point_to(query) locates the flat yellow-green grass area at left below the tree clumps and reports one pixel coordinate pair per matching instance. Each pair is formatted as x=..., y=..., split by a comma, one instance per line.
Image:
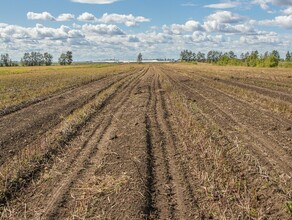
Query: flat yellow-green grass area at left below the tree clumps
x=23, y=84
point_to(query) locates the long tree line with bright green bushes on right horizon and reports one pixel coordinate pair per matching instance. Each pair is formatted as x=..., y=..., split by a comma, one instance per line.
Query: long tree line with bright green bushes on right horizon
x=253, y=59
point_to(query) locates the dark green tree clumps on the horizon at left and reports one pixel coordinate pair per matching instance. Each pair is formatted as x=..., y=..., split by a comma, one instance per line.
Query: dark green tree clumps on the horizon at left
x=36, y=59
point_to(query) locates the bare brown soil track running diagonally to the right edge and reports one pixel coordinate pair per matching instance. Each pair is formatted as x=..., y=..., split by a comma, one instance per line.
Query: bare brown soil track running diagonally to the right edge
x=270, y=153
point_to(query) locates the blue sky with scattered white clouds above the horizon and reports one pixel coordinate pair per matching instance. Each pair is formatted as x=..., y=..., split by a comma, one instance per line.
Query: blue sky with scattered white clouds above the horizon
x=120, y=29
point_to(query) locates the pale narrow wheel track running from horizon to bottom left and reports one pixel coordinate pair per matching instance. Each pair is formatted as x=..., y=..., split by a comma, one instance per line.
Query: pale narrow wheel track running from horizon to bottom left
x=91, y=148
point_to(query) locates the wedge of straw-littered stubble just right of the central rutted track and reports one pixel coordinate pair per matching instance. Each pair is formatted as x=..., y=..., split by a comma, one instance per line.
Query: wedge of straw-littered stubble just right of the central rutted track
x=232, y=183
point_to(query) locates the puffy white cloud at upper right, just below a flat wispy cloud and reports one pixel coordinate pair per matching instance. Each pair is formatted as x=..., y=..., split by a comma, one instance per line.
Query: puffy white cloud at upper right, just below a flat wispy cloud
x=225, y=17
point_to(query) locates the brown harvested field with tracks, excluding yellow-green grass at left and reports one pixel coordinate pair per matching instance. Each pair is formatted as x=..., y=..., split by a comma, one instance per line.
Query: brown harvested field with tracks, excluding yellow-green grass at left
x=163, y=141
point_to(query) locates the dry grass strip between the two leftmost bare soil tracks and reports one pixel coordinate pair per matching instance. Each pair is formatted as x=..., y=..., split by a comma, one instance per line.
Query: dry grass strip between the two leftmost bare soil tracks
x=18, y=171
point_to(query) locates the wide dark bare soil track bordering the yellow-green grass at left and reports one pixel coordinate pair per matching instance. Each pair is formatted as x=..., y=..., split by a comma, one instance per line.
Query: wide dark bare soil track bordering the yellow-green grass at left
x=23, y=127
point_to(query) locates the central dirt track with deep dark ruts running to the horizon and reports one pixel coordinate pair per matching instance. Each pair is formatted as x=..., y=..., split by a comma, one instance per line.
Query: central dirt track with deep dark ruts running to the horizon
x=172, y=196
